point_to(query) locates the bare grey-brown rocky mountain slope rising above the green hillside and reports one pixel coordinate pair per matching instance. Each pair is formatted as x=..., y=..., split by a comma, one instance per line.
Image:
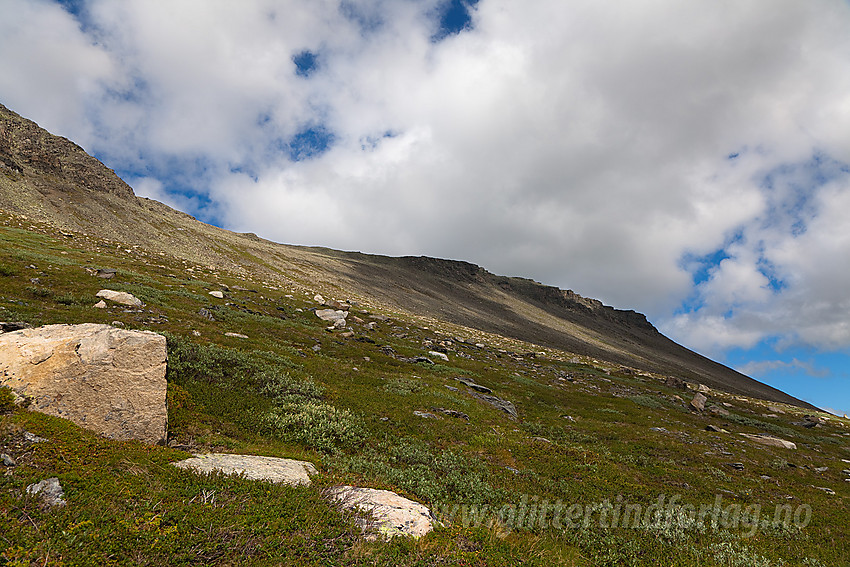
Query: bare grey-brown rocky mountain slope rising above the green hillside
x=51, y=180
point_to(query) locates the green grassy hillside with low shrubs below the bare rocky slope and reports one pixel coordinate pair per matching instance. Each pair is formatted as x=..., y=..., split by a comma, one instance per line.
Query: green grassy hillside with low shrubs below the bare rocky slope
x=595, y=446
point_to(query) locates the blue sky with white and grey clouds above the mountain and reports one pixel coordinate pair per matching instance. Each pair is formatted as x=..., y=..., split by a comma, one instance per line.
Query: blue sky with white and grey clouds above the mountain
x=689, y=160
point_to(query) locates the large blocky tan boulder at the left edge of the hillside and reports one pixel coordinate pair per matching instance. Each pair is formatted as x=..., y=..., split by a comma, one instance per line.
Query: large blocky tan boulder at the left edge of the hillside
x=105, y=379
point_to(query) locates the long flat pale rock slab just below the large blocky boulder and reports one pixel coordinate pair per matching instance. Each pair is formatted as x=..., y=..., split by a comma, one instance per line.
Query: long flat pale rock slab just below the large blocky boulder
x=252, y=467
